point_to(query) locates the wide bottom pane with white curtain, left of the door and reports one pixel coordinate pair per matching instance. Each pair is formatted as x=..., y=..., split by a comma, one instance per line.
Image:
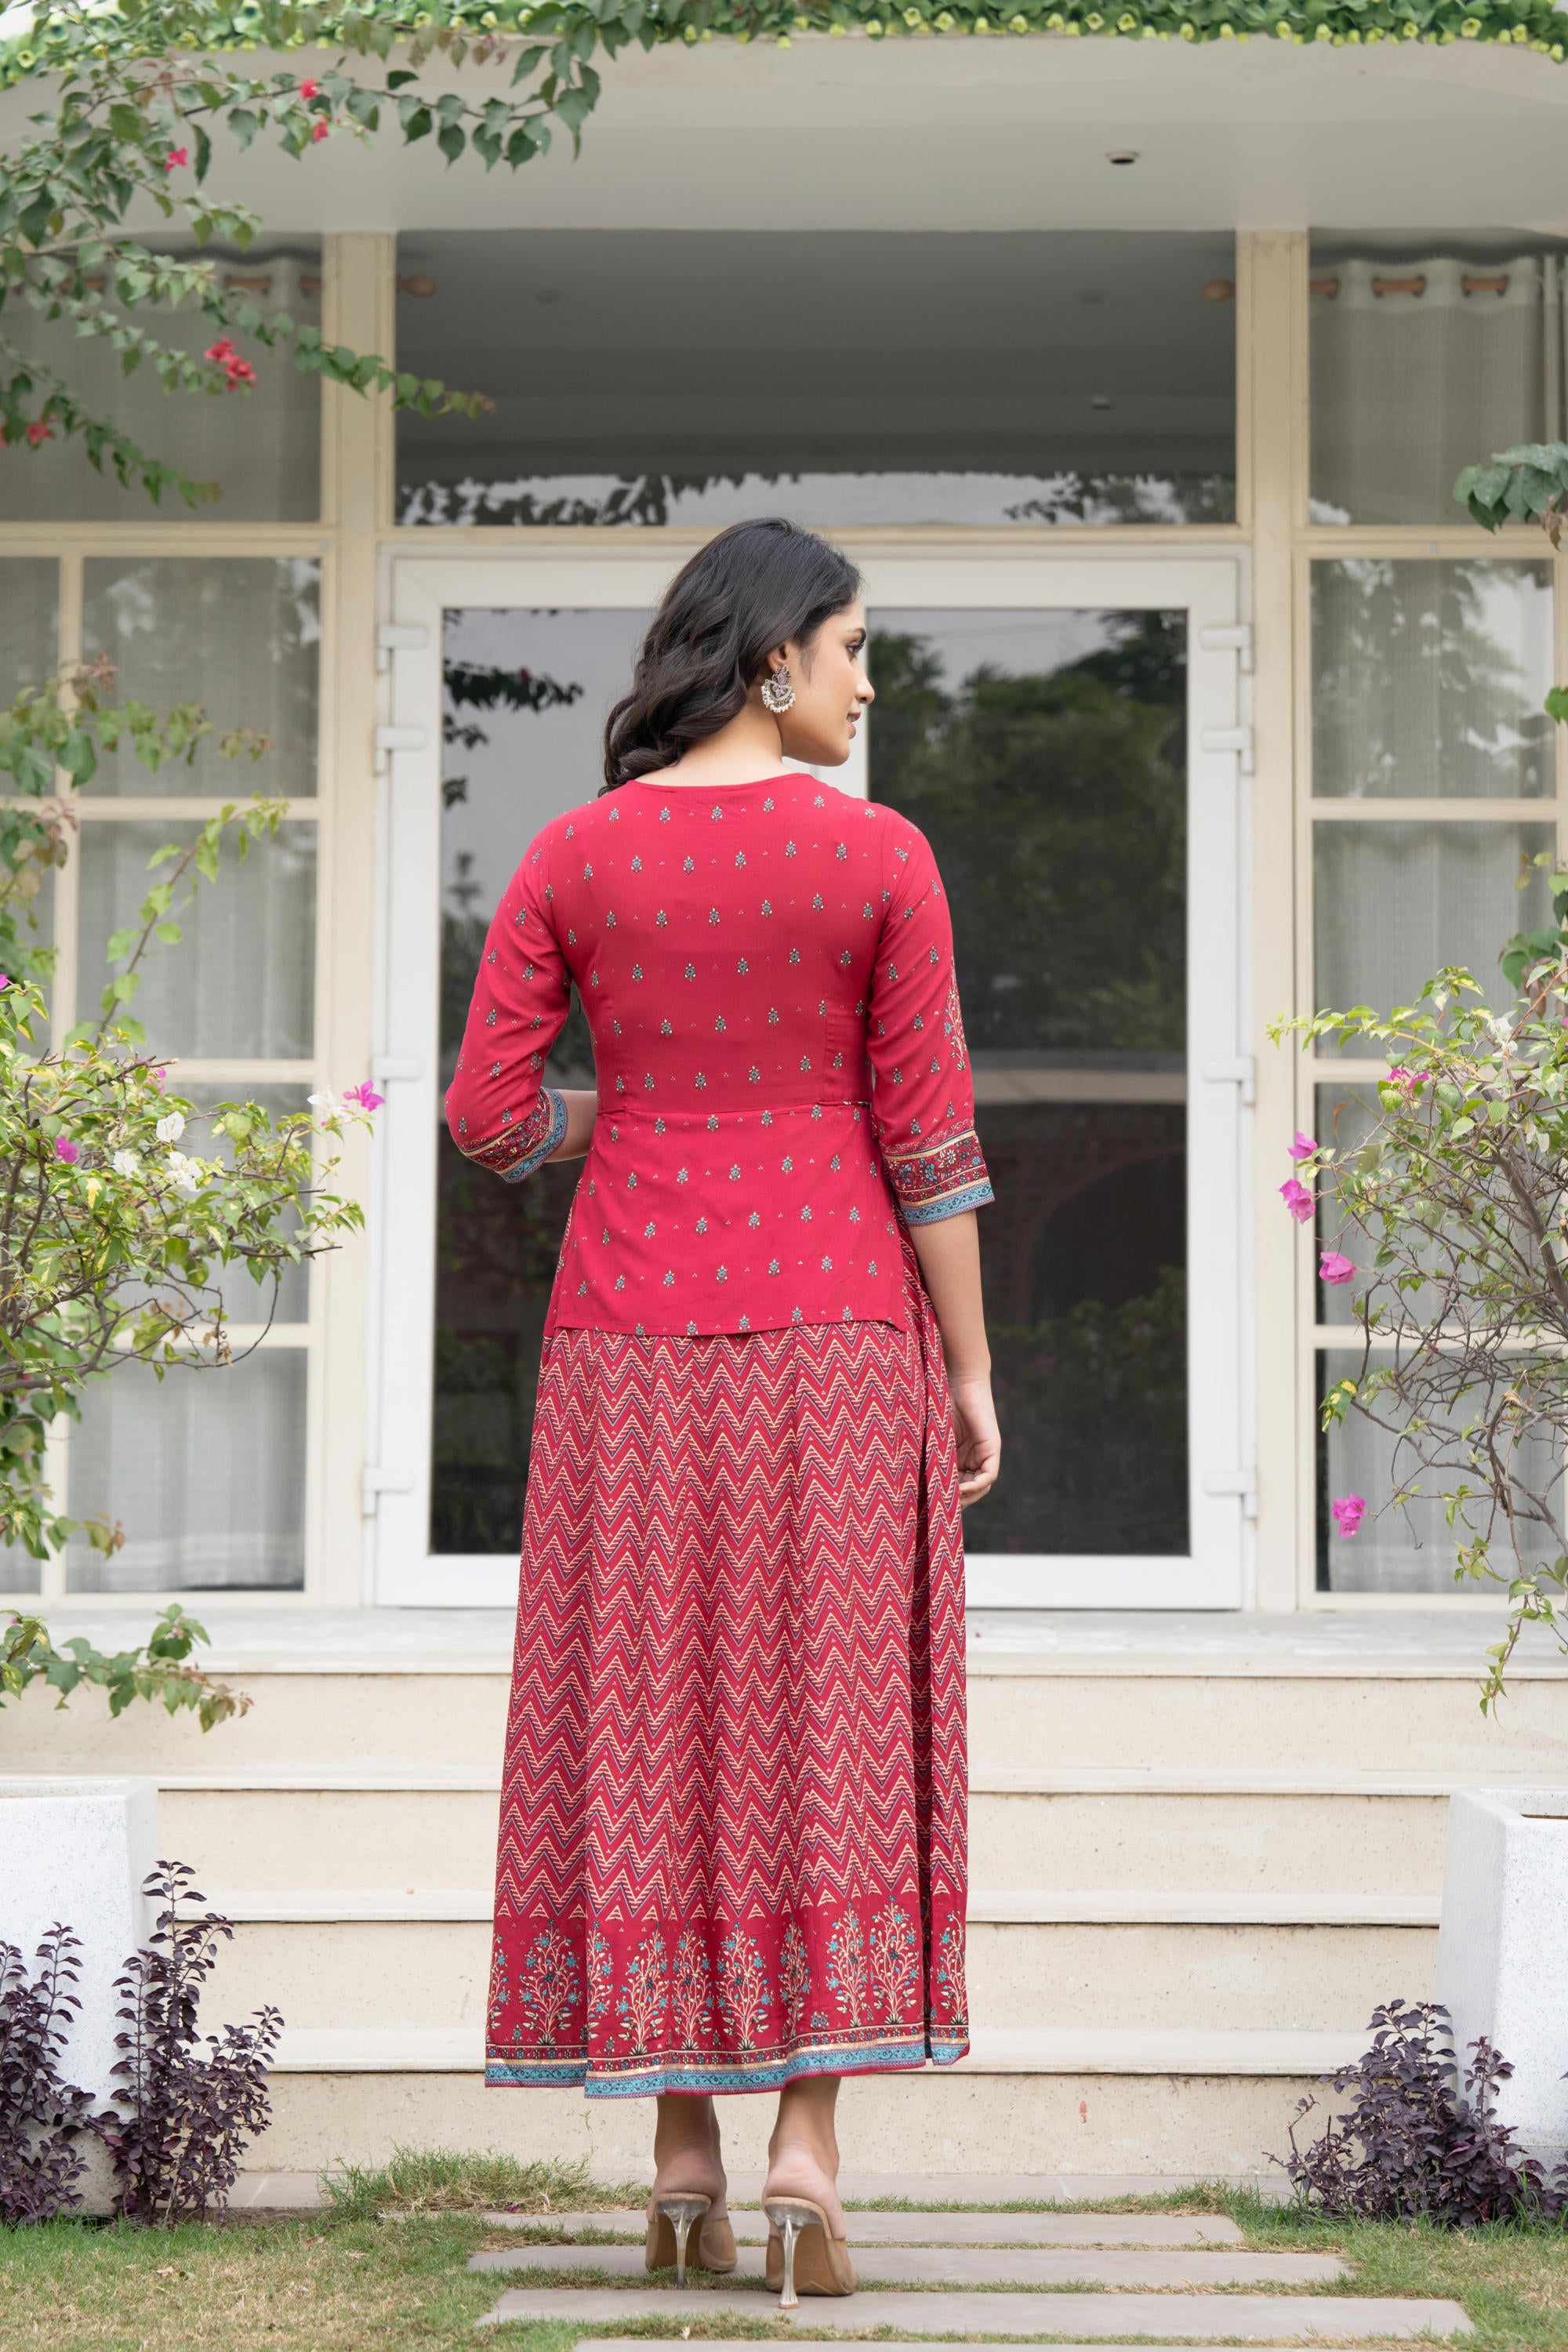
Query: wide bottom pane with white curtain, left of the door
x=206, y=1471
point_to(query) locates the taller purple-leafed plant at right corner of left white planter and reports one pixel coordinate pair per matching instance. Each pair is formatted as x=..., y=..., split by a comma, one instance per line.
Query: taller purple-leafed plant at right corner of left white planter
x=189, y=2111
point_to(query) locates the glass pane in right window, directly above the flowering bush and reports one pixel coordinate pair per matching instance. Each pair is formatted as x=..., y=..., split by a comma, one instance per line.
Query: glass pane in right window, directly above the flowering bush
x=1393, y=904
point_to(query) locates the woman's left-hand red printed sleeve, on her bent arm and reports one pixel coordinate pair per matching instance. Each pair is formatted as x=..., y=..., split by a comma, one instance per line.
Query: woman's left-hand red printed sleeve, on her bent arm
x=500, y=1111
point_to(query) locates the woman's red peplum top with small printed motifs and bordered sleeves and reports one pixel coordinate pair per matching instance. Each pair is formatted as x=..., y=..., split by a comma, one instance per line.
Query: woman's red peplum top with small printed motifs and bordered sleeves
x=782, y=1069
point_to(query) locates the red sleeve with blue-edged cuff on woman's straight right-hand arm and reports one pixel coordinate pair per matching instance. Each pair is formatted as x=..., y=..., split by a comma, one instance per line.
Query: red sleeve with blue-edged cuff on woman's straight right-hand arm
x=923, y=1102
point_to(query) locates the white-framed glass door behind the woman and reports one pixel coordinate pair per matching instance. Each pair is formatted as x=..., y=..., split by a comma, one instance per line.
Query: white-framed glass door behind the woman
x=1068, y=737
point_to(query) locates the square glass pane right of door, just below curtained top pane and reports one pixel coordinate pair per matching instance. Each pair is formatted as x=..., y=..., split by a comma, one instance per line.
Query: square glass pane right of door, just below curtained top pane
x=1428, y=681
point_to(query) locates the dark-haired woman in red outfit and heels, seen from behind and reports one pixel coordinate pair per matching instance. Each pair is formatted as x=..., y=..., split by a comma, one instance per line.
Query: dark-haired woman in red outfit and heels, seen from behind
x=732, y=1822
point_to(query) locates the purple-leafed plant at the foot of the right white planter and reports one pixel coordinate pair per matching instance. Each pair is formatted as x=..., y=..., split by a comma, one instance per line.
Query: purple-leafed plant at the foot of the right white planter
x=1414, y=2141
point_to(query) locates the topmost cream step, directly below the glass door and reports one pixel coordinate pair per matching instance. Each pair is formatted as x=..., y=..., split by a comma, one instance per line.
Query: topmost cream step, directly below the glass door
x=1028, y=1711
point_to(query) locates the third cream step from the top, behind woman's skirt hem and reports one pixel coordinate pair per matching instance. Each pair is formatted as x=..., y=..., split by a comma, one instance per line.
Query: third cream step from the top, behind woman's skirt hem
x=434, y=1967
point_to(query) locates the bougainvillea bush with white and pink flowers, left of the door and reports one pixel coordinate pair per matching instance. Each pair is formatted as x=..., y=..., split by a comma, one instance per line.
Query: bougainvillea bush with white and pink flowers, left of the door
x=135, y=1229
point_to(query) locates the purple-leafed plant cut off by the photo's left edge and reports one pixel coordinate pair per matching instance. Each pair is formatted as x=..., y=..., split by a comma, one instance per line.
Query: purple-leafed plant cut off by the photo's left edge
x=41, y=2113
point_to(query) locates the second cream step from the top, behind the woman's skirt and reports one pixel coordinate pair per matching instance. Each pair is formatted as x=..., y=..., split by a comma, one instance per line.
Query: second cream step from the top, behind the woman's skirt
x=1085, y=1831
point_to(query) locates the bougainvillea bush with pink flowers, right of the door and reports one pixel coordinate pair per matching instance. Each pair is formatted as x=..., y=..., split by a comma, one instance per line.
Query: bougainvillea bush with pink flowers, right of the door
x=1454, y=1222
